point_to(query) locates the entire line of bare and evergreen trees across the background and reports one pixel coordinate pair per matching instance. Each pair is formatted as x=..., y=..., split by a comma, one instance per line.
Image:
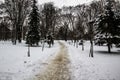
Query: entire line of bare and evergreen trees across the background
x=74, y=22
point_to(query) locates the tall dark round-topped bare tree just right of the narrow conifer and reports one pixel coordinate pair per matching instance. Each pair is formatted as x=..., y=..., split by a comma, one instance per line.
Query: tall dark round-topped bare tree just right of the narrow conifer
x=49, y=13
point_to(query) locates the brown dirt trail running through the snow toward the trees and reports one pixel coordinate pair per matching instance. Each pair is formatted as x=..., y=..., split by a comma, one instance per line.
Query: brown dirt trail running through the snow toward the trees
x=57, y=68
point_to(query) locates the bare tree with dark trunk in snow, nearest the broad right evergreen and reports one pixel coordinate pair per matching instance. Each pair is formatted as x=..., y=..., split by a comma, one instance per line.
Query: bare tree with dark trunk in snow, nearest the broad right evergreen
x=92, y=12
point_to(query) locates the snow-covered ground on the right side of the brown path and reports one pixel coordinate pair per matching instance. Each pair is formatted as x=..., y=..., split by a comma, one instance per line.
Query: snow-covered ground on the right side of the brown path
x=103, y=66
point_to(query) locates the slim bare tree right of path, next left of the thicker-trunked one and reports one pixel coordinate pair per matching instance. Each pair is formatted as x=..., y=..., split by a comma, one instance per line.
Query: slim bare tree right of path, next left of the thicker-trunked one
x=81, y=22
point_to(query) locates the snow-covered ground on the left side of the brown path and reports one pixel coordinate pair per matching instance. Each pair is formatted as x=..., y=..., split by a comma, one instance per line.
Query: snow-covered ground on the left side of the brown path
x=15, y=65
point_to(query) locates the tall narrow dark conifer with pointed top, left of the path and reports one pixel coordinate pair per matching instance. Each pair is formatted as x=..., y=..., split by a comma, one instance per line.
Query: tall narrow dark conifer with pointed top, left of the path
x=33, y=36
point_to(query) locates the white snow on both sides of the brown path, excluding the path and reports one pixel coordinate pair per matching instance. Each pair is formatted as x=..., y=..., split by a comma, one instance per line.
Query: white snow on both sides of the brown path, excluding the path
x=15, y=65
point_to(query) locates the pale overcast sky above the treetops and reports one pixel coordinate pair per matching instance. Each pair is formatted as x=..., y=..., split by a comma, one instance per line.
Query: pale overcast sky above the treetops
x=61, y=3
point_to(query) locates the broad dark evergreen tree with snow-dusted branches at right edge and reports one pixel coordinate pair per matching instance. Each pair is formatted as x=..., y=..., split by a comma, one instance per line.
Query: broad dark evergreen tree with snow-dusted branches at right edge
x=108, y=23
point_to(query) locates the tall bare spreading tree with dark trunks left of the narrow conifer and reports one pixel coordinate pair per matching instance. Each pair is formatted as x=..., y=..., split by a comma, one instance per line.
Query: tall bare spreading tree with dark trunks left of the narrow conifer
x=17, y=11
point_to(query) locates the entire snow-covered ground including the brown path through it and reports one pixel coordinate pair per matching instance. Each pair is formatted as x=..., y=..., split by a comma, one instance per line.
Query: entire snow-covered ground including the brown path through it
x=62, y=61
